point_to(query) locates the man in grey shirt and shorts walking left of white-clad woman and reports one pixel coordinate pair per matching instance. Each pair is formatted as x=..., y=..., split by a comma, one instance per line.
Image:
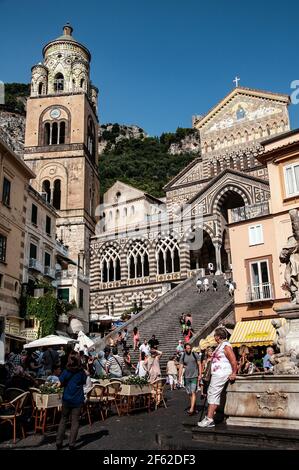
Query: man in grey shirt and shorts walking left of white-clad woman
x=192, y=364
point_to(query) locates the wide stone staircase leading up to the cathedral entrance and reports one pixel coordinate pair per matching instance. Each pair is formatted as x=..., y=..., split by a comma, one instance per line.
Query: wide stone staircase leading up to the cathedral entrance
x=162, y=317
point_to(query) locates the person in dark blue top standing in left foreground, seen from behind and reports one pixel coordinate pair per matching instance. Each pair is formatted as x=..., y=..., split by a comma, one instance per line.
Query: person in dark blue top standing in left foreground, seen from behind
x=72, y=379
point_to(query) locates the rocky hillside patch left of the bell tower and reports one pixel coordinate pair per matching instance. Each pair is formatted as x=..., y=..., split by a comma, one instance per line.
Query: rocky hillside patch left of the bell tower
x=12, y=130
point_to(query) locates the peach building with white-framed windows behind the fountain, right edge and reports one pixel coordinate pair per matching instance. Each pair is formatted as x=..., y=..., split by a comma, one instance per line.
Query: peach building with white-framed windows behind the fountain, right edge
x=258, y=233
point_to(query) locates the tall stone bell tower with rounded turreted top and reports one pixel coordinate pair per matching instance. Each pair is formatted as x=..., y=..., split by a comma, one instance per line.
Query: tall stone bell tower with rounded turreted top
x=61, y=144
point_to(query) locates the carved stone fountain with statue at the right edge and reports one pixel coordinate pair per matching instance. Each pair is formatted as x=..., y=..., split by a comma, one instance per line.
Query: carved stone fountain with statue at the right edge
x=272, y=400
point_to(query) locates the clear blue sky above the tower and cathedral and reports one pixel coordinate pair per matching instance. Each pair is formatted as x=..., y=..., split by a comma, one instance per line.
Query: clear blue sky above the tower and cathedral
x=158, y=62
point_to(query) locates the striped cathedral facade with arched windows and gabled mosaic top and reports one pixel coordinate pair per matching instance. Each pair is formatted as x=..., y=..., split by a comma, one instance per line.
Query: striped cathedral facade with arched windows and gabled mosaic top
x=144, y=245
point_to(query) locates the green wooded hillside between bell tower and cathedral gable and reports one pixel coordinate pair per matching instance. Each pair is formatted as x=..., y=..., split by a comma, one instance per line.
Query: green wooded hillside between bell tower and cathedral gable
x=144, y=162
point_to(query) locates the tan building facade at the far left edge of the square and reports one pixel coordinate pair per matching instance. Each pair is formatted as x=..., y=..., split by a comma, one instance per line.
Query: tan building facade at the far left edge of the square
x=14, y=179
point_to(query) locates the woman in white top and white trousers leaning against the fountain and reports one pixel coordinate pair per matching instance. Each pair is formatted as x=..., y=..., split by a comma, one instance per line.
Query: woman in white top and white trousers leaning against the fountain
x=224, y=368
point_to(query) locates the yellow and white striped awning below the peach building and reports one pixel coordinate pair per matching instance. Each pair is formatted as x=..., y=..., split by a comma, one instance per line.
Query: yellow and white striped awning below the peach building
x=254, y=333
